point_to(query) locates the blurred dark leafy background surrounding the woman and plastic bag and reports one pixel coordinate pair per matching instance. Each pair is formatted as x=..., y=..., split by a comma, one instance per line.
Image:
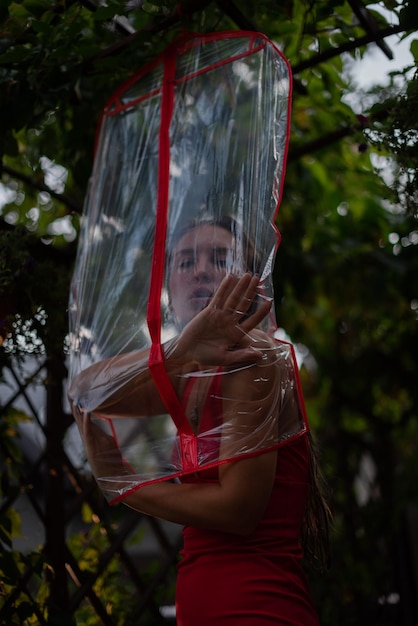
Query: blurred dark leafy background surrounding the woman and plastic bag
x=346, y=294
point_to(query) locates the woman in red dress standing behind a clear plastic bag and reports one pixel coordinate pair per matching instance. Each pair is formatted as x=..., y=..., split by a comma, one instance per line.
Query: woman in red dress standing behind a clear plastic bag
x=242, y=515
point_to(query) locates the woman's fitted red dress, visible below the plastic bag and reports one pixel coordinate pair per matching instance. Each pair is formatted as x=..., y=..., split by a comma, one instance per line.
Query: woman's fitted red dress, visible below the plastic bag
x=231, y=580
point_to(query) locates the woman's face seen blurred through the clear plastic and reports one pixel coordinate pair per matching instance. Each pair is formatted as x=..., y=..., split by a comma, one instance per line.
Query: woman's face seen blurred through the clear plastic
x=200, y=260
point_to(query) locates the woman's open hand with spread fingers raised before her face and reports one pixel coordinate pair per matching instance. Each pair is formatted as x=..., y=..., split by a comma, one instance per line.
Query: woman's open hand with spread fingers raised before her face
x=218, y=335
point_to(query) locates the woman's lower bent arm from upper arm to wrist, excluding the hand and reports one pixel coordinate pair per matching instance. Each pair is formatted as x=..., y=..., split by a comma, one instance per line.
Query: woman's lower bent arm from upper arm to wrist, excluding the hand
x=237, y=503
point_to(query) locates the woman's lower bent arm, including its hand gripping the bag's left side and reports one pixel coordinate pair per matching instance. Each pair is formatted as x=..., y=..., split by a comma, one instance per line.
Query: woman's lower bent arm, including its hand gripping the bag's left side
x=237, y=502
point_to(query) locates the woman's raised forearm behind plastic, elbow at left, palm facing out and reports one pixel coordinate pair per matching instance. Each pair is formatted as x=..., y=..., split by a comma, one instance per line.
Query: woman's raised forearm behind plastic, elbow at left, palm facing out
x=123, y=384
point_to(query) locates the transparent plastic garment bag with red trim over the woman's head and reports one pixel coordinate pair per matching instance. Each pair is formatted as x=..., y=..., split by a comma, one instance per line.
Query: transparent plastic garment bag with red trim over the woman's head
x=187, y=178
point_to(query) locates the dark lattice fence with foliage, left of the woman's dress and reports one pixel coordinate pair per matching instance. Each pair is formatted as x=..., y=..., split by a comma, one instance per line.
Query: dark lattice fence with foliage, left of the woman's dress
x=66, y=556
